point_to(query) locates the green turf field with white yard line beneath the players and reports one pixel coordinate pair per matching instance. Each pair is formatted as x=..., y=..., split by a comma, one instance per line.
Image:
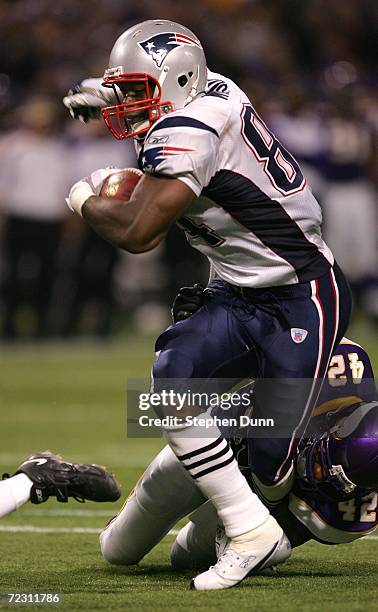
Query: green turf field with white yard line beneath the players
x=72, y=399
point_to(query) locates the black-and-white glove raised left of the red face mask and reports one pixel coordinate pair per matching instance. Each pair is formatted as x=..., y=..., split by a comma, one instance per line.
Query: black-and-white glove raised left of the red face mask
x=86, y=99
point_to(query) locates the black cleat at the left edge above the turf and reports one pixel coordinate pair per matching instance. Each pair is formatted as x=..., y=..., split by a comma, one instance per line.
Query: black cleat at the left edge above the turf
x=52, y=476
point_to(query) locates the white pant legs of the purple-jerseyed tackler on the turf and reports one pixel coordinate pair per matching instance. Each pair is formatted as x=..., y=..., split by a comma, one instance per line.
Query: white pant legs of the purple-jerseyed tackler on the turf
x=163, y=495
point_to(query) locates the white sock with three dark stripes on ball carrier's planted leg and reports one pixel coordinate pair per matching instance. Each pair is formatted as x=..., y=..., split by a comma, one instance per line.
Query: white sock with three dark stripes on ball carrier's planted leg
x=211, y=463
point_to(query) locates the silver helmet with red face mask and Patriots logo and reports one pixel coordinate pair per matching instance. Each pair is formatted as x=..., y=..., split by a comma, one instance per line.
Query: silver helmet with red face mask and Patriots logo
x=166, y=61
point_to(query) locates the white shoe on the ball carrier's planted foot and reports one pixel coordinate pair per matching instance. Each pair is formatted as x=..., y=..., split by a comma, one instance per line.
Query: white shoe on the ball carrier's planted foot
x=236, y=562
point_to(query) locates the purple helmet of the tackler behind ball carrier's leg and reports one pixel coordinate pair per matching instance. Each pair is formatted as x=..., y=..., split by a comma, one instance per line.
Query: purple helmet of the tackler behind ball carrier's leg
x=347, y=453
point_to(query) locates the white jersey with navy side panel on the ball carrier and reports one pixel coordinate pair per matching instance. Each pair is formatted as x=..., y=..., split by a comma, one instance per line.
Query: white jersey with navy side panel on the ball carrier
x=255, y=217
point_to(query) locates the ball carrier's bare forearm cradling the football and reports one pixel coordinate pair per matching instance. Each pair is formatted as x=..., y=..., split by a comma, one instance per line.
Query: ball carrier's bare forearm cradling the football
x=115, y=222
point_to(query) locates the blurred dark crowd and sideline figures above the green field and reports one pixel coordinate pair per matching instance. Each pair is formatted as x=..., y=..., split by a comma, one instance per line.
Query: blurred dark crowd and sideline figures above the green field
x=309, y=67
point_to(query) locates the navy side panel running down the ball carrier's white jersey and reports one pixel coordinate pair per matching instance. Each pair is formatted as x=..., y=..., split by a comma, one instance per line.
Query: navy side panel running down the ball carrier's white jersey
x=268, y=220
